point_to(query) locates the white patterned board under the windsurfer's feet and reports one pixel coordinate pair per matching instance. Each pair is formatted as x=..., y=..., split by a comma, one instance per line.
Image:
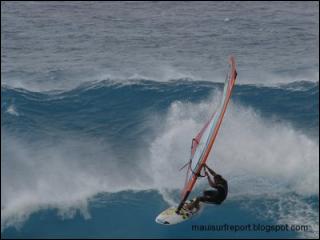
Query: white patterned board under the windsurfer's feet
x=170, y=217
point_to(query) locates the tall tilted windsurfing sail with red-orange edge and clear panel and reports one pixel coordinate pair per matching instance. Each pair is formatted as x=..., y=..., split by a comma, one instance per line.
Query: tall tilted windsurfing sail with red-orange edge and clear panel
x=201, y=145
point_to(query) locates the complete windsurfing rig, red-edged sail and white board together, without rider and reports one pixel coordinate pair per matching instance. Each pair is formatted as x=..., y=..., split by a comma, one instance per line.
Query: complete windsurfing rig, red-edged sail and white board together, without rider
x=200, y=149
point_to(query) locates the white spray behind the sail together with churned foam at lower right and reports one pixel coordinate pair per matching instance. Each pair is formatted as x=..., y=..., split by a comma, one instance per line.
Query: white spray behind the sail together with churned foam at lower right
x=260, y=158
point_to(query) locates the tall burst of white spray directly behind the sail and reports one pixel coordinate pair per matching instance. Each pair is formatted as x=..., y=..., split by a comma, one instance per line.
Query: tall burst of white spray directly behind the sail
x=247, y=146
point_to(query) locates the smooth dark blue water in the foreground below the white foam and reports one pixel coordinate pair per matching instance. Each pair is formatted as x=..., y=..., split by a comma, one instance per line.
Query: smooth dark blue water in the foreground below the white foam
x=127, y=226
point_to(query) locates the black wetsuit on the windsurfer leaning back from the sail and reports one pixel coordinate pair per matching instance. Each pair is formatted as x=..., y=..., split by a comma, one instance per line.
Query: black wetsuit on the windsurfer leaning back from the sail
x=218, y=195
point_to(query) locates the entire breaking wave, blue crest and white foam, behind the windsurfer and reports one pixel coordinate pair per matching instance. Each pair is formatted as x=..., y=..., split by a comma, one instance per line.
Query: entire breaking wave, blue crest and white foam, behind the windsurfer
x=63, y=150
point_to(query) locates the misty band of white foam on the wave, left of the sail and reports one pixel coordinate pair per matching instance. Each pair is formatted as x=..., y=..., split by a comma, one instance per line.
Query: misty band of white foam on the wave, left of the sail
x=62, y=174
